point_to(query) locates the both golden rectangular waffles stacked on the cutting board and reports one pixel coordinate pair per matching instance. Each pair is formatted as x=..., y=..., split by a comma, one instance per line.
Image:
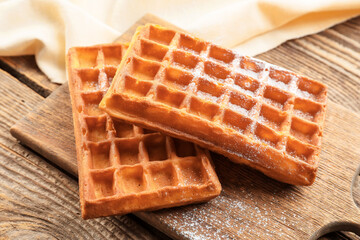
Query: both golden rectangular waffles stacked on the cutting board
x=248, y=110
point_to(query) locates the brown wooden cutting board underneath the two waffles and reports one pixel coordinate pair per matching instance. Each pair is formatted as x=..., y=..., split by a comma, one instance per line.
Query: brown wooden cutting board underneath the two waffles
x=251, y=205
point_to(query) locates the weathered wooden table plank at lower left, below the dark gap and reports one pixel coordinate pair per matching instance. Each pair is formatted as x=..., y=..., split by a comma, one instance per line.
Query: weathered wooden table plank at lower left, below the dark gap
x=37, y=200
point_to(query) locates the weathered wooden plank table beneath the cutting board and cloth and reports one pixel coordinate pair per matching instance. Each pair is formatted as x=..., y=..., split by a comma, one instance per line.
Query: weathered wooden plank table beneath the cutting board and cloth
x=37, y=199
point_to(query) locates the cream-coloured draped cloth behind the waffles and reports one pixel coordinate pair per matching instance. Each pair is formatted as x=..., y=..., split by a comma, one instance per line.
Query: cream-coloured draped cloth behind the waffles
x=47, y=28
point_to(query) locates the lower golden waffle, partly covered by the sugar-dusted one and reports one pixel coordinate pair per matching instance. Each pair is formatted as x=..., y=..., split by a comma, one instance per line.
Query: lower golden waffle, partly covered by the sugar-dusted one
x=124, y=168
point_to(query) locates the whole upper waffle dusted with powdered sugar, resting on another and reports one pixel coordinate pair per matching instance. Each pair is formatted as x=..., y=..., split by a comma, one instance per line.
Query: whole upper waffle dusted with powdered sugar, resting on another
x=248, y=110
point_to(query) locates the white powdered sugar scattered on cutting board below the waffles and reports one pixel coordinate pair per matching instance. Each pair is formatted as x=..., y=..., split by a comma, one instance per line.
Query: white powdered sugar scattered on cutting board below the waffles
x=231, y=217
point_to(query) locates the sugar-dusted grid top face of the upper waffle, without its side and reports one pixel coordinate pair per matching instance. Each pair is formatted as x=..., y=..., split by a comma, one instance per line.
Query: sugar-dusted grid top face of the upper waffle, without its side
x=272, y=107
